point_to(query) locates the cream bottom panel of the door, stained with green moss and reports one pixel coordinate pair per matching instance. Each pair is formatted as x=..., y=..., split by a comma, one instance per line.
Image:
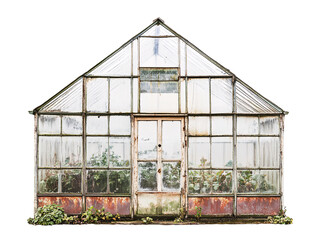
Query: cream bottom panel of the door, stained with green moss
x=158, y=204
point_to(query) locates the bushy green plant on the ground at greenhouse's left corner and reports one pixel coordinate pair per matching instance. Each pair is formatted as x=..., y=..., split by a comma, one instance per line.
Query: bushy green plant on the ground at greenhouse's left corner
x=48, y=215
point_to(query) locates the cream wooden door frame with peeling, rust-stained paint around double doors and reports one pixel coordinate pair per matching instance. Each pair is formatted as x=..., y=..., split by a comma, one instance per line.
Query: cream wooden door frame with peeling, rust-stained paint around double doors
x=134, y=175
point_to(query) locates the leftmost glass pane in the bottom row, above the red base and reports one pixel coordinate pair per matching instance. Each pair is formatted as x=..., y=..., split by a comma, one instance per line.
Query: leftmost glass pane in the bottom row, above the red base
x=48, y=181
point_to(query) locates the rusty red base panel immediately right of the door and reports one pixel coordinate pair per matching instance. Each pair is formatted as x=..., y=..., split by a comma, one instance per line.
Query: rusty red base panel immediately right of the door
x=211, y=205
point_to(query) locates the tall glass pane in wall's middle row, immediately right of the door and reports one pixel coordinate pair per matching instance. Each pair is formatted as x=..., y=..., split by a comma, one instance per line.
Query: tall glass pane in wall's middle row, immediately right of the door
x=198, y=152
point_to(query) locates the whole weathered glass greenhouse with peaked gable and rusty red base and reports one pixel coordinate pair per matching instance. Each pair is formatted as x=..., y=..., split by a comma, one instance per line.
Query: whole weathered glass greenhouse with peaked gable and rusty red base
x=156, y=128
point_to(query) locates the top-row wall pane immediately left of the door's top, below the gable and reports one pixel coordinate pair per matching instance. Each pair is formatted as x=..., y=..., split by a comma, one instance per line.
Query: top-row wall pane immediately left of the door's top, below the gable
x=120, y=125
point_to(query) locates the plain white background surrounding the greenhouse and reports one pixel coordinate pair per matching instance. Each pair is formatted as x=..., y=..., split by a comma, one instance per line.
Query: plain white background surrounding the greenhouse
x=271, y=45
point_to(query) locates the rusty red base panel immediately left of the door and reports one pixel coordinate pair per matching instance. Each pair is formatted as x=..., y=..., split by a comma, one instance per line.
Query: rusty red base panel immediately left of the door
x=114, y=205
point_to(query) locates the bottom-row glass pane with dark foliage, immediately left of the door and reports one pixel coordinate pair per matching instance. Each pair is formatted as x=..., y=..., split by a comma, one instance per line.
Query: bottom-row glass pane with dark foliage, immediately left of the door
x=120, y=181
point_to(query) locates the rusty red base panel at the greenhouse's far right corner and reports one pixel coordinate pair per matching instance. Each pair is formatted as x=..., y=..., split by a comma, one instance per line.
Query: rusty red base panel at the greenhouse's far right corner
x=258, y=205
